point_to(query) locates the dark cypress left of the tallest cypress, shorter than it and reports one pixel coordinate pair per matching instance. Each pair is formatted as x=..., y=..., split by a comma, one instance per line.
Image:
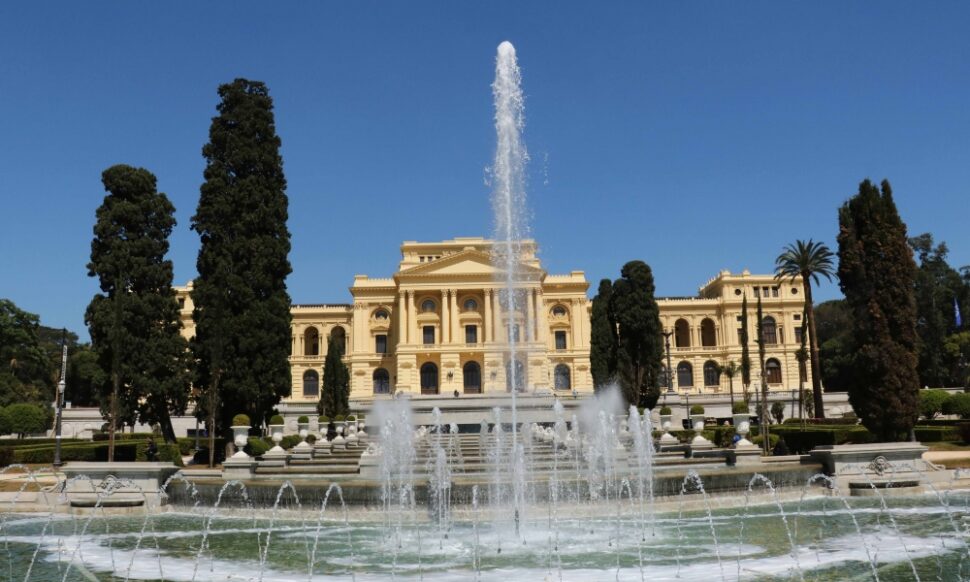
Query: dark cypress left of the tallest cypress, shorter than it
x=134, y=322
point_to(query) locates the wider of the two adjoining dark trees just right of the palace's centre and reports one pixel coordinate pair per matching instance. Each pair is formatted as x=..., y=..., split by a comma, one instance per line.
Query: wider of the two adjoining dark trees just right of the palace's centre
x=639, y=337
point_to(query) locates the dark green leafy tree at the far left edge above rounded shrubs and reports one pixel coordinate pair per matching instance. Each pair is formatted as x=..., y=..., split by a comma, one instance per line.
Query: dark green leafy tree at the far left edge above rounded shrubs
x=25, y=374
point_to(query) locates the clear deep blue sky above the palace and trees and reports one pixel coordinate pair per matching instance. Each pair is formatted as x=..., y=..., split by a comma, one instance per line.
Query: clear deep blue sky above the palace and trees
x=695, y=136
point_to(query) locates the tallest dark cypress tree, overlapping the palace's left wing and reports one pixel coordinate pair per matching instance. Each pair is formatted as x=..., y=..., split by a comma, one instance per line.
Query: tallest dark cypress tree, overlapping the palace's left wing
x=242, y=308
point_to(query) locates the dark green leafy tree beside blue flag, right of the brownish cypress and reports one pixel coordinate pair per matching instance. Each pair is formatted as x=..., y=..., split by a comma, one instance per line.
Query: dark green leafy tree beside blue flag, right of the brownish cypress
x=938, y=288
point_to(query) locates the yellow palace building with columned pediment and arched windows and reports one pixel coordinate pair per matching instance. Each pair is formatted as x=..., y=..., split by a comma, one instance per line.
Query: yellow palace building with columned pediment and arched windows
x=438, y=326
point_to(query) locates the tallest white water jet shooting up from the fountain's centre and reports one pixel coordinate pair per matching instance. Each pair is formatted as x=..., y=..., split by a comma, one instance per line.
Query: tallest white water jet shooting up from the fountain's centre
x=508, y=203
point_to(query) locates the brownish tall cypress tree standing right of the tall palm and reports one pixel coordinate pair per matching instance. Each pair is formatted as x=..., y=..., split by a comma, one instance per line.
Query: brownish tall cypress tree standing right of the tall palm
x=877, y=275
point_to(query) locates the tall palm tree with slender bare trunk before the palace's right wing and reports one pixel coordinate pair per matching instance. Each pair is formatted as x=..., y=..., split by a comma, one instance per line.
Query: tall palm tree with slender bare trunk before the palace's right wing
x=808, y=260
